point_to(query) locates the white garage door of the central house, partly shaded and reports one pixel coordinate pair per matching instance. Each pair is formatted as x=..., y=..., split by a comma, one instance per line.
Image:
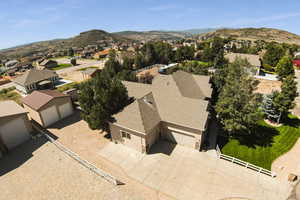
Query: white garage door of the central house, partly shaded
x=180, y=138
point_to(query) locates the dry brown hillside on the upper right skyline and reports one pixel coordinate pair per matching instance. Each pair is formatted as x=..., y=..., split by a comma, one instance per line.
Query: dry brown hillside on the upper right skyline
x=267, y=34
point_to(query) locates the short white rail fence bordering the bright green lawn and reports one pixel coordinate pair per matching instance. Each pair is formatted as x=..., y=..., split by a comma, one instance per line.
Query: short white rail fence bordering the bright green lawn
x=245, y=164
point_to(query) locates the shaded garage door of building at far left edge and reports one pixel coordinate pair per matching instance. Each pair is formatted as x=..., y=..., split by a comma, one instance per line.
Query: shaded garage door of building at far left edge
x=14, y=133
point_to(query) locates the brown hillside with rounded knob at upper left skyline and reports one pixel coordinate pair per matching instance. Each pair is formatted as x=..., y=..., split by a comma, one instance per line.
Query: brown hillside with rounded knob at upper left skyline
x=81, y=40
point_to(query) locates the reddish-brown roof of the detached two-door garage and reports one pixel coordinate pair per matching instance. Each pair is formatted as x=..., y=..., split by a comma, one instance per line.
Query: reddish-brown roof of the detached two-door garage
x=37, y=99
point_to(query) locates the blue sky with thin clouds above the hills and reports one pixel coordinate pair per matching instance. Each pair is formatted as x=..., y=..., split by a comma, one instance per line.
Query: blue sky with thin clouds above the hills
x=24, y=21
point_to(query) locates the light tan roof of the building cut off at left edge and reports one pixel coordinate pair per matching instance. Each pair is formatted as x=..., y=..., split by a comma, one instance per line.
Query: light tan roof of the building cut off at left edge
x=10, y=108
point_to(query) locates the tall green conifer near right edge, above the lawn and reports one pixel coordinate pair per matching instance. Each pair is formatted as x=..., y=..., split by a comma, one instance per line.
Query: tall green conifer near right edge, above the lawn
x=285, y=100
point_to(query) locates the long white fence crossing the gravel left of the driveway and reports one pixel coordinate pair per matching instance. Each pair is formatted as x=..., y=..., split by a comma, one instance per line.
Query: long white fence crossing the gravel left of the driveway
x=76, y=157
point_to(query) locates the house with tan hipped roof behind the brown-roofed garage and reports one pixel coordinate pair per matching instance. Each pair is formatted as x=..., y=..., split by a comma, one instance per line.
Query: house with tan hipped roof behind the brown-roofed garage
x=36, y=80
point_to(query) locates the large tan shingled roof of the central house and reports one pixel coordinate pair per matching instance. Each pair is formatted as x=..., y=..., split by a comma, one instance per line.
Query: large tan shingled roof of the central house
x=165, y=100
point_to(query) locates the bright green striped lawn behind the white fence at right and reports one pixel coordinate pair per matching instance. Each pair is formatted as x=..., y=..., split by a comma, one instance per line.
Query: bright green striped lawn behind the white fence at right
x=267, y=144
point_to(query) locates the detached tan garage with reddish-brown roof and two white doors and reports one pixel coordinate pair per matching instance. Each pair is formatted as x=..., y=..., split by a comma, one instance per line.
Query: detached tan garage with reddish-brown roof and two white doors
x=48, y=106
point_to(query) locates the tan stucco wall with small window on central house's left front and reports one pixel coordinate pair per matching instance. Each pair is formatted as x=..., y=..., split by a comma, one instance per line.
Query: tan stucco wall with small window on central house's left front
x=137, y=140
